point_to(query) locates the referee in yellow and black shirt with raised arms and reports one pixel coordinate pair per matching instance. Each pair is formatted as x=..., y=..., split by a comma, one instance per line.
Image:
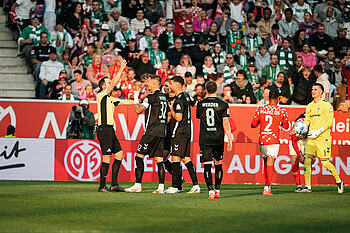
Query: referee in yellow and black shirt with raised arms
x=105, y=132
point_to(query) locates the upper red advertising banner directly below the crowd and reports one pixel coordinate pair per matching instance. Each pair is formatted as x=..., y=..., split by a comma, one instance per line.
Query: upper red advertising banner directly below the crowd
x=49, y=120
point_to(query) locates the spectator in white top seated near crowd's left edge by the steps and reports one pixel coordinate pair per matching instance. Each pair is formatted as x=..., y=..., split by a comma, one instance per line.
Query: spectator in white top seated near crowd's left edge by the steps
x=49, y=71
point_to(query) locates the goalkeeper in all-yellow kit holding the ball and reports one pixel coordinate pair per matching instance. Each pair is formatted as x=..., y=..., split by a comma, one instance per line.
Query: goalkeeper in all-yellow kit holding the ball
x=319, y=117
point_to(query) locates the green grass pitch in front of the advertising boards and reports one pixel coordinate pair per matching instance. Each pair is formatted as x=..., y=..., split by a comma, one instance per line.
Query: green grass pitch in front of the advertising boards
x=32, y=206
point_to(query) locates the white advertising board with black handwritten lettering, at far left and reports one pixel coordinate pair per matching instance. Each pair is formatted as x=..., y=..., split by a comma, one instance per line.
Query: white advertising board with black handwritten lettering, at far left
x=27, y=159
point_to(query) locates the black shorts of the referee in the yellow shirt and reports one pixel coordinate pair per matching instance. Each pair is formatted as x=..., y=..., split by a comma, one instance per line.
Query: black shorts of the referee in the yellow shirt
x=108, y=140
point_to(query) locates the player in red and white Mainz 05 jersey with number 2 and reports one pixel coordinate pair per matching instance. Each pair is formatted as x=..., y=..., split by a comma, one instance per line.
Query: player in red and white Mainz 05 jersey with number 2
x=270, y=118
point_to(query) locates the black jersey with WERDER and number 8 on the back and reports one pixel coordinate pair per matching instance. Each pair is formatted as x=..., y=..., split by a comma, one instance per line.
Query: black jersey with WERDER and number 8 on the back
x=211, y=112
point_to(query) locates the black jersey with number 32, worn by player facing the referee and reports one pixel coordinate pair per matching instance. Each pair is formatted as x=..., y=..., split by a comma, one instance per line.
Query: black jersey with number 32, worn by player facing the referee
x=156, y=114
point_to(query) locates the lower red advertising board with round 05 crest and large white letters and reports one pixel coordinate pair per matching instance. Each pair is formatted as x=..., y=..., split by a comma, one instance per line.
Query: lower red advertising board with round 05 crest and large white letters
x=81, y=159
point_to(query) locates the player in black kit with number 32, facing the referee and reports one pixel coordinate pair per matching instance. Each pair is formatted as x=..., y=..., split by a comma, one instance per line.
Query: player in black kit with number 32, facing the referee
x=156, y=110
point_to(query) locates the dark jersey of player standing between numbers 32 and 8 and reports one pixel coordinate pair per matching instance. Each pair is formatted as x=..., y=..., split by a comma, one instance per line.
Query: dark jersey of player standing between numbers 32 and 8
x=182, y=128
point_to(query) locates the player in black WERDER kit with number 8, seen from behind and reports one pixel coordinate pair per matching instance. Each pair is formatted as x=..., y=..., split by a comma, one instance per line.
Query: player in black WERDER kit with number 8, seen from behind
x=213, y=115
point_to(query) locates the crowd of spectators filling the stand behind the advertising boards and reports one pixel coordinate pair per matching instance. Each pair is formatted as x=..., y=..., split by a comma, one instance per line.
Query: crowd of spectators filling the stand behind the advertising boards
x=248, y=47
